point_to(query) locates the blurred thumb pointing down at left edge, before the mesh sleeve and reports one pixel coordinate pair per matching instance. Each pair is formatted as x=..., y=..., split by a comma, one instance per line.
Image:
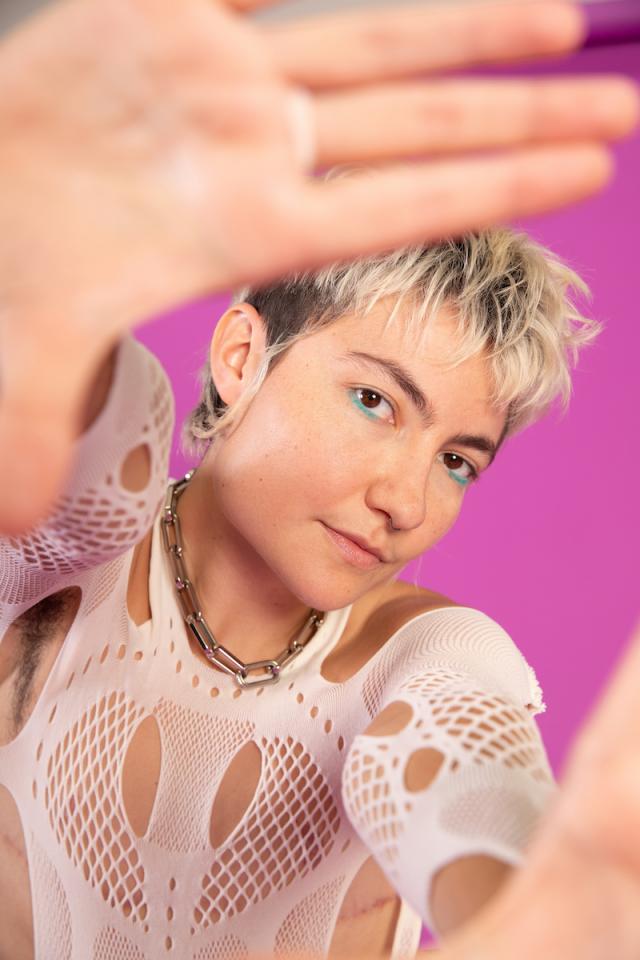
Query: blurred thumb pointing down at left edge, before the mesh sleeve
x=42, y=394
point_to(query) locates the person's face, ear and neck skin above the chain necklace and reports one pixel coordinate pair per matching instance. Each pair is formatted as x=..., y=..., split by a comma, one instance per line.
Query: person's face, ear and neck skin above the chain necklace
x=307, y=454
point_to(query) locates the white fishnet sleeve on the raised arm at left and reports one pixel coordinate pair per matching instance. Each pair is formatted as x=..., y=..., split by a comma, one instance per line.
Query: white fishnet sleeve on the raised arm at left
x=97, y=518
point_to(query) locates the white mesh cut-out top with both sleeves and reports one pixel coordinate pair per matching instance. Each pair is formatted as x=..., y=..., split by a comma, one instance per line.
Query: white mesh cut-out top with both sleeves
x=327, y=796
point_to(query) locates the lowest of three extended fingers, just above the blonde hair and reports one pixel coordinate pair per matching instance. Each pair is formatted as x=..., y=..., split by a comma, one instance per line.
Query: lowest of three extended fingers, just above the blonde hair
x=418, y=203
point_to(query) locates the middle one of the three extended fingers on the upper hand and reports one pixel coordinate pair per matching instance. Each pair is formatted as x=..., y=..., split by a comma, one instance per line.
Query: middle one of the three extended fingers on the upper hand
x=405, y=120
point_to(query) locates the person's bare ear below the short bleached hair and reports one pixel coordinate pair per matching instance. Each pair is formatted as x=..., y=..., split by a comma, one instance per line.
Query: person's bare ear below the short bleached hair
x=237, y=349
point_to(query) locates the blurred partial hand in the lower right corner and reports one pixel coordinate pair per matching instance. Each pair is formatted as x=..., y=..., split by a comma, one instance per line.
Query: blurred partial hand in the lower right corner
x=576, y=897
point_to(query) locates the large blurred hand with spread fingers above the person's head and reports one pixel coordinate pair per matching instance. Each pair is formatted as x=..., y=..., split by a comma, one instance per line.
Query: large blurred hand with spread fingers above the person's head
x=150, y=153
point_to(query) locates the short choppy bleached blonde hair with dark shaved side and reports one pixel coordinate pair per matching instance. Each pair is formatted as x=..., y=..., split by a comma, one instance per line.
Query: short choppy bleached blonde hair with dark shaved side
x=514, y=300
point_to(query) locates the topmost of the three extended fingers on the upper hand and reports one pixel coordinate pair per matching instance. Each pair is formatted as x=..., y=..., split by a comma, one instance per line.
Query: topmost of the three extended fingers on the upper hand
x=360, y=47
